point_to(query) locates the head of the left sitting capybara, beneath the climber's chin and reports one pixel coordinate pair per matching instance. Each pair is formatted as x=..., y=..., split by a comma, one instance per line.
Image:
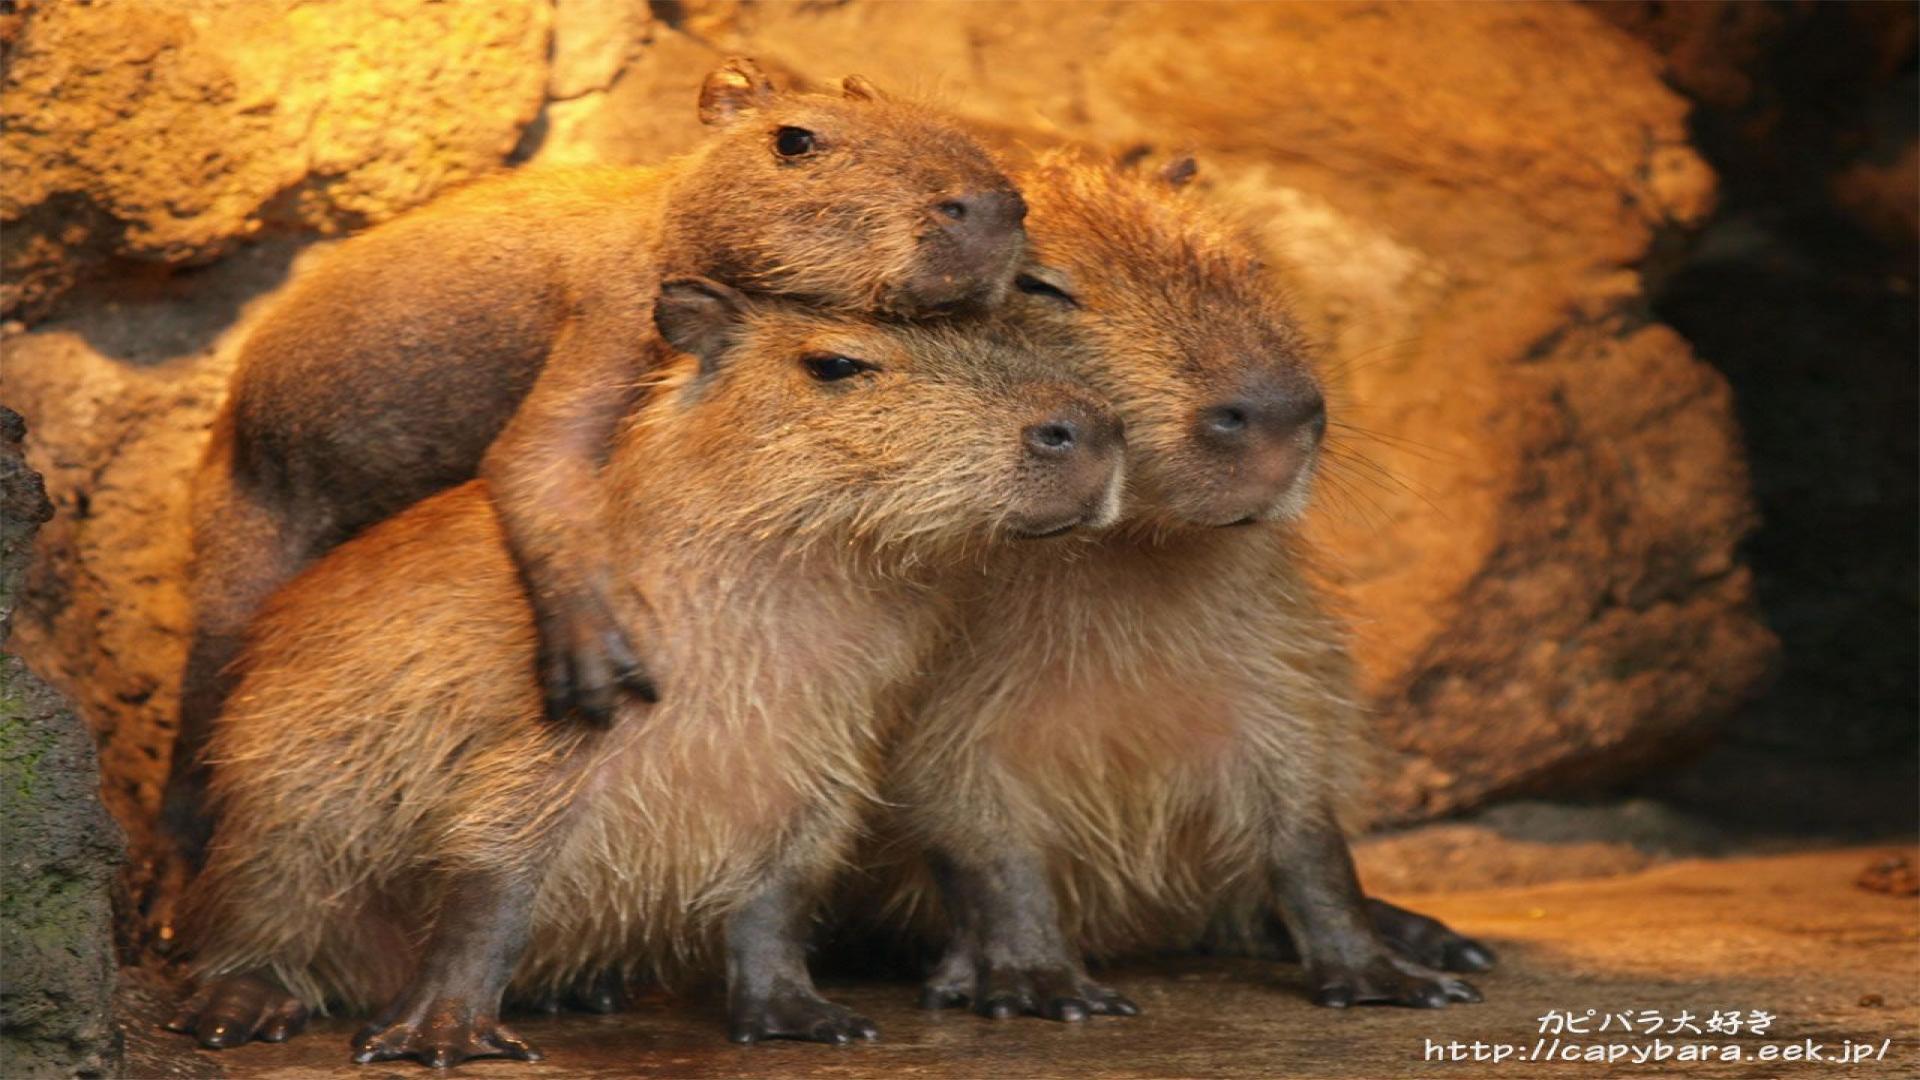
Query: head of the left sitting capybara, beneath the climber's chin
x=876, y=435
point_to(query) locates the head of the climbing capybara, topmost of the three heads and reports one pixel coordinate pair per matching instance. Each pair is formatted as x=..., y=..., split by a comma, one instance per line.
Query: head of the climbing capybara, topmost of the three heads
x=850, y=201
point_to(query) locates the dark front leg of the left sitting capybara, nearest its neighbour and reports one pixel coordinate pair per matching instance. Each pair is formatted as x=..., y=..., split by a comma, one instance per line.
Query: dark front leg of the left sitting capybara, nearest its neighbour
x=771, y=994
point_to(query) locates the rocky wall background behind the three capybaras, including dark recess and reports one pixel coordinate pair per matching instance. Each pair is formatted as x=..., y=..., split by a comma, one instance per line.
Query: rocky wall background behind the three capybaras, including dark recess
x=1537, y=297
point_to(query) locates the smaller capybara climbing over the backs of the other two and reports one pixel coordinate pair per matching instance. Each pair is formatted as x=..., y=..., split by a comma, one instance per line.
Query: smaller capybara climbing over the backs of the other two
x=504, y=330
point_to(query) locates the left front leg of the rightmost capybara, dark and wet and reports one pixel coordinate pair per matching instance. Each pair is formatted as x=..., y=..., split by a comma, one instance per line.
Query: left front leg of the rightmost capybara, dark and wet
x=1022, y=966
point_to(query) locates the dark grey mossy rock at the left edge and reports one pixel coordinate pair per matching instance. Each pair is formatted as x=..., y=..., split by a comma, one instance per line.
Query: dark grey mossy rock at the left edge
x=62, y=850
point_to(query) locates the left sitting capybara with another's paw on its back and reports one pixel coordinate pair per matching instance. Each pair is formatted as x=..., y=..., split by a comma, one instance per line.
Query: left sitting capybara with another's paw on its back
x=786, y=504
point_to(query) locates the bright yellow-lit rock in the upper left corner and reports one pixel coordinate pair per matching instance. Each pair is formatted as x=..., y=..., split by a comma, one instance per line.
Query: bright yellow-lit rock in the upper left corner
x=166, y=134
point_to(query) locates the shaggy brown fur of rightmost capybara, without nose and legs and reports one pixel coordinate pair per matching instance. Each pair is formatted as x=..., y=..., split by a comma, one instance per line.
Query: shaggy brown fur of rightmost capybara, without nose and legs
x=1155, y=712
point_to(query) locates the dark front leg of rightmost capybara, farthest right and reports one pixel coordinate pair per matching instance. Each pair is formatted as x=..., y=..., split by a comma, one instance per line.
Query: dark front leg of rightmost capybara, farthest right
x=1328, y=918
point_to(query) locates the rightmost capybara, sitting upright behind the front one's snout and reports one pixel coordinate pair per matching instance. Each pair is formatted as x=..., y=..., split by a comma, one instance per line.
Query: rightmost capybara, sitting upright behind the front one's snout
x=1201, y=735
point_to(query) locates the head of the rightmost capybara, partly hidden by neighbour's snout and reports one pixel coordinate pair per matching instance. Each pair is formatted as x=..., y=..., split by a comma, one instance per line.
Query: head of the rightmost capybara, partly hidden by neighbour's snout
x=1184, y=331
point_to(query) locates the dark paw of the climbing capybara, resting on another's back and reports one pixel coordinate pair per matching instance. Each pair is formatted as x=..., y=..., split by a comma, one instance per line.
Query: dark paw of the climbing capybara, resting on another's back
x=588, y=666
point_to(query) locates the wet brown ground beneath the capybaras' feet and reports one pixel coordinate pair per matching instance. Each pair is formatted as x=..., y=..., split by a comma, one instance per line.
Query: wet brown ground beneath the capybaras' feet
x=1792, y=937
